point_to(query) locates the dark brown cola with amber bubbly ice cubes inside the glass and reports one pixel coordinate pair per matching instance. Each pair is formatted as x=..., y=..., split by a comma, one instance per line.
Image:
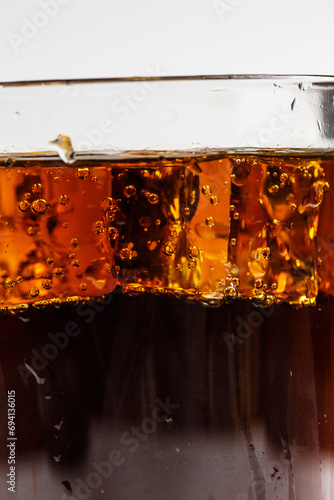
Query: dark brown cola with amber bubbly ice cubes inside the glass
x=187, y=353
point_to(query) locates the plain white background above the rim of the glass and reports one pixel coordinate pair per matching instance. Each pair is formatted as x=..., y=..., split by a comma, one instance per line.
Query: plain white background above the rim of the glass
x=107, y=38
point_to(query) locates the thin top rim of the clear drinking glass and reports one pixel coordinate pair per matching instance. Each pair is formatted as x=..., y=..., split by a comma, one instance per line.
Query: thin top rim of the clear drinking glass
x=267, y=78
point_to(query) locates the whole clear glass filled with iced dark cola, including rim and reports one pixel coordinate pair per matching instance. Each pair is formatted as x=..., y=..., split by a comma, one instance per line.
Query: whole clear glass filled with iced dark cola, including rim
x=166, y=288
